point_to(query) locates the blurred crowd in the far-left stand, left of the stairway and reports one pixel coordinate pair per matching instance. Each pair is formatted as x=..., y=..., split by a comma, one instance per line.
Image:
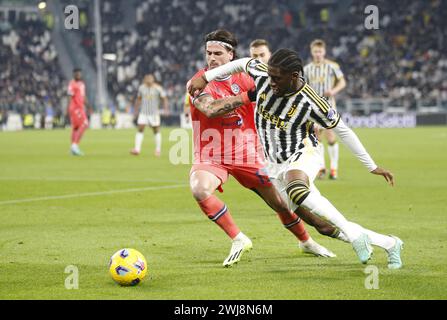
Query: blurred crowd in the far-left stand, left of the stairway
x=30, y=75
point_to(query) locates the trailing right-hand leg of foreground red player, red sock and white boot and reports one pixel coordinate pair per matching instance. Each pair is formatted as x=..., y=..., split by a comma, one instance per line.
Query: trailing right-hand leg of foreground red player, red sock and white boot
x=293, y=223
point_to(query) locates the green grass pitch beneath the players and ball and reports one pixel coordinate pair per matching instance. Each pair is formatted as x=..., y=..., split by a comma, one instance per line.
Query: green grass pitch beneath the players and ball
x=42, y=232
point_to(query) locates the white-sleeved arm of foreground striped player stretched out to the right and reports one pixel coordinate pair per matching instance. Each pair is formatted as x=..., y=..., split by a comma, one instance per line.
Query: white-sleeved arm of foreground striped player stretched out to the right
x=350, y=139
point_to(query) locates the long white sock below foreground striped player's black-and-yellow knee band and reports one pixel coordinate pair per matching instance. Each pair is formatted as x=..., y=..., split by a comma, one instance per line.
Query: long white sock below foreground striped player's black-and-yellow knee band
x=319, y=205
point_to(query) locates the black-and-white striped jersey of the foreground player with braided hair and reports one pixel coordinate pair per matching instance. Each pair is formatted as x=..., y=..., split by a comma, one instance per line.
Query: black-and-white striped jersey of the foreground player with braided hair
x=284, y=122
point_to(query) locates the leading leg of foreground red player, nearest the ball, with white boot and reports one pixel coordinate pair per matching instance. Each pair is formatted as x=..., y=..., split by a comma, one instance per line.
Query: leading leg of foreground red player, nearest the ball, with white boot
x=203, y=184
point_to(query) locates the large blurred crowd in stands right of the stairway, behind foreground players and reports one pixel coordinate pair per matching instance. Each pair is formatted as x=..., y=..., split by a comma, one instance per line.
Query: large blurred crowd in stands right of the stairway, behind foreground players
x=404, y=60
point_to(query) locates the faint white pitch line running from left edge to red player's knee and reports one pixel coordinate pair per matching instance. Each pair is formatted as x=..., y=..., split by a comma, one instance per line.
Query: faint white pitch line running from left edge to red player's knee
x=91, y=194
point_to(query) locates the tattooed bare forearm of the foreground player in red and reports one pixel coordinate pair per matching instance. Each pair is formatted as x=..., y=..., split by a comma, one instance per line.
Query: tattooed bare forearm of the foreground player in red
x=216, y=108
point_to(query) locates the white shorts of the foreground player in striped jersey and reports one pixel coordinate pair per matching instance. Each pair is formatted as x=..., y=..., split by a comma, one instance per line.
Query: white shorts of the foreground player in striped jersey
x=307, y=160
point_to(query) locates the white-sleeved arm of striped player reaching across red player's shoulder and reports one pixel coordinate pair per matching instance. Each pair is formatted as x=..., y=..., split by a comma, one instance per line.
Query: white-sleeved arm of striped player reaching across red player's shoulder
x=198, y=84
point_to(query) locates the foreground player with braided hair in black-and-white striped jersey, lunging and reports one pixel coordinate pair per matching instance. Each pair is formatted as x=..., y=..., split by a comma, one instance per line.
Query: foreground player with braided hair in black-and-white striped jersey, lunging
x=286, y=110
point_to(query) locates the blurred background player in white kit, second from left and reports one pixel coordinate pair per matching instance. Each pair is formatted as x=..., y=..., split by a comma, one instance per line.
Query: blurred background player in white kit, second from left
x=147, y=109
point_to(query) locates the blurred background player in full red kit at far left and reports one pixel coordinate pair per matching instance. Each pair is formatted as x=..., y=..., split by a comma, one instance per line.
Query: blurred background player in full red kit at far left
x=76, y=110
